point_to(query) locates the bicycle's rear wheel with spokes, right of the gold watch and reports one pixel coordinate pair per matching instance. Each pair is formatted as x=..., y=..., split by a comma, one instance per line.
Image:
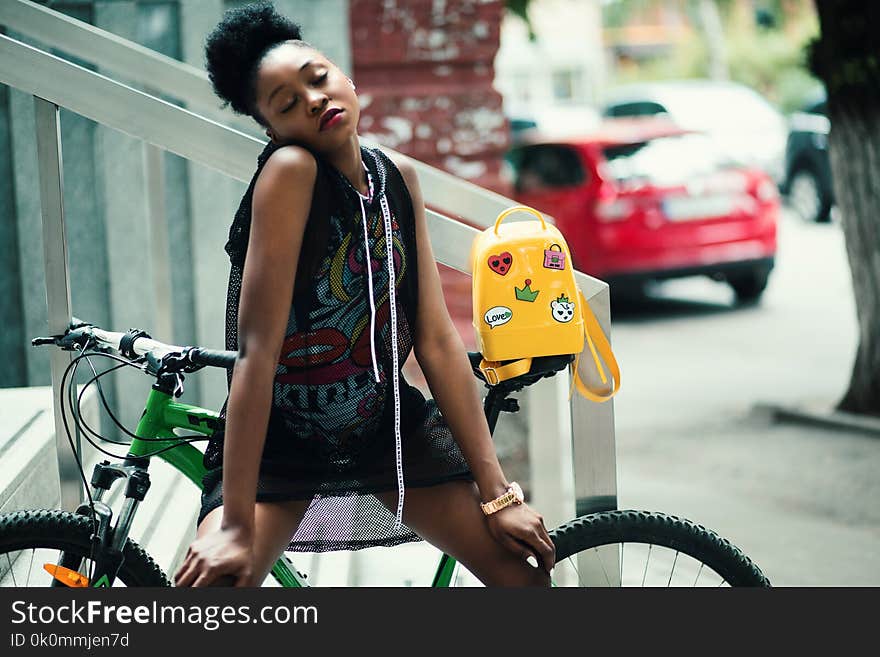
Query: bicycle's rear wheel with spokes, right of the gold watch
x=640, y=548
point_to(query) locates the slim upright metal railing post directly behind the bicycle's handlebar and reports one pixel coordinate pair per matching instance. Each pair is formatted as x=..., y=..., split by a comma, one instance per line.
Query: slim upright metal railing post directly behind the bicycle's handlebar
x=49, y=165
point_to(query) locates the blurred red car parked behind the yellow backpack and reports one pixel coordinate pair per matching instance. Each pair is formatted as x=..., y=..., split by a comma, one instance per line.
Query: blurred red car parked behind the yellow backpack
x=643, y=200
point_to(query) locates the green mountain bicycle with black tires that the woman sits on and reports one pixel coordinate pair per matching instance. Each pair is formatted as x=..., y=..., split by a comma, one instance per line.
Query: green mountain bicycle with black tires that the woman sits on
x=95, y=552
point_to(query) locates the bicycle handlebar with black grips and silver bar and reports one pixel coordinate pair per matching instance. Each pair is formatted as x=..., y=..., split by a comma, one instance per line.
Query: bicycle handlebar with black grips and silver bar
x=137, y=343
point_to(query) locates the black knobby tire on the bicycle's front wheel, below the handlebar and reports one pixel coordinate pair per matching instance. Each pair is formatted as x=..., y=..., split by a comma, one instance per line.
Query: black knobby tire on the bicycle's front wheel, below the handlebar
x=69, y=533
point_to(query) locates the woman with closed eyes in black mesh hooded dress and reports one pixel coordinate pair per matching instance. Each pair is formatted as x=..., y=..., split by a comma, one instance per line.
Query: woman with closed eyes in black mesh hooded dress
x=324, y=439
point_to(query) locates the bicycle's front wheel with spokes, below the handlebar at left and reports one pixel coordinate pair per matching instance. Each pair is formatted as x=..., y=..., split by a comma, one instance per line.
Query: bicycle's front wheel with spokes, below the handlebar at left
x=32, y=540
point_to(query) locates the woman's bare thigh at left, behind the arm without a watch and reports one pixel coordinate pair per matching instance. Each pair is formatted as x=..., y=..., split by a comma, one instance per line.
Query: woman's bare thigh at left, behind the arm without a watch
x=274, y=524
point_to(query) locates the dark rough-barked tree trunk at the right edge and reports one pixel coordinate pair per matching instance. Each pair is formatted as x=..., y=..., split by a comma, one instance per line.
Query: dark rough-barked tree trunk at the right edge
x=847, y=59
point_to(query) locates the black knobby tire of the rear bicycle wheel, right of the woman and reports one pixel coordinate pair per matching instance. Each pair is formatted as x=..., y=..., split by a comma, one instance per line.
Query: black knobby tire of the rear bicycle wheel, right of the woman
x=657, y=529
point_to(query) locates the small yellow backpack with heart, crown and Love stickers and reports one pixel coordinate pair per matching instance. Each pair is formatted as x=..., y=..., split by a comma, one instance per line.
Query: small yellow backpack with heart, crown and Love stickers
x=527, y=304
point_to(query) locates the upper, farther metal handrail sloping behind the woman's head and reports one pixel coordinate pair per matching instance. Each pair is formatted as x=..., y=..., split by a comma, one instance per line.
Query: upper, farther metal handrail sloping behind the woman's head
x=457, y=198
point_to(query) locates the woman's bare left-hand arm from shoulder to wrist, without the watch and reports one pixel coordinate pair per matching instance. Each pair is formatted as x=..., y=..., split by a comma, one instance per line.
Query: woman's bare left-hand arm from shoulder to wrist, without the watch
x=282, y=197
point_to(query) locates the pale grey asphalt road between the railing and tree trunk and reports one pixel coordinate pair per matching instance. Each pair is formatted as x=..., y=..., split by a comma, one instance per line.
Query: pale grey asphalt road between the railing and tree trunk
x=801, y=501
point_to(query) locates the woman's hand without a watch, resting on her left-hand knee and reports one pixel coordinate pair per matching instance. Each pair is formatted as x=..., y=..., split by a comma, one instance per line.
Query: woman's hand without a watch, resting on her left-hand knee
x=225, y=554
